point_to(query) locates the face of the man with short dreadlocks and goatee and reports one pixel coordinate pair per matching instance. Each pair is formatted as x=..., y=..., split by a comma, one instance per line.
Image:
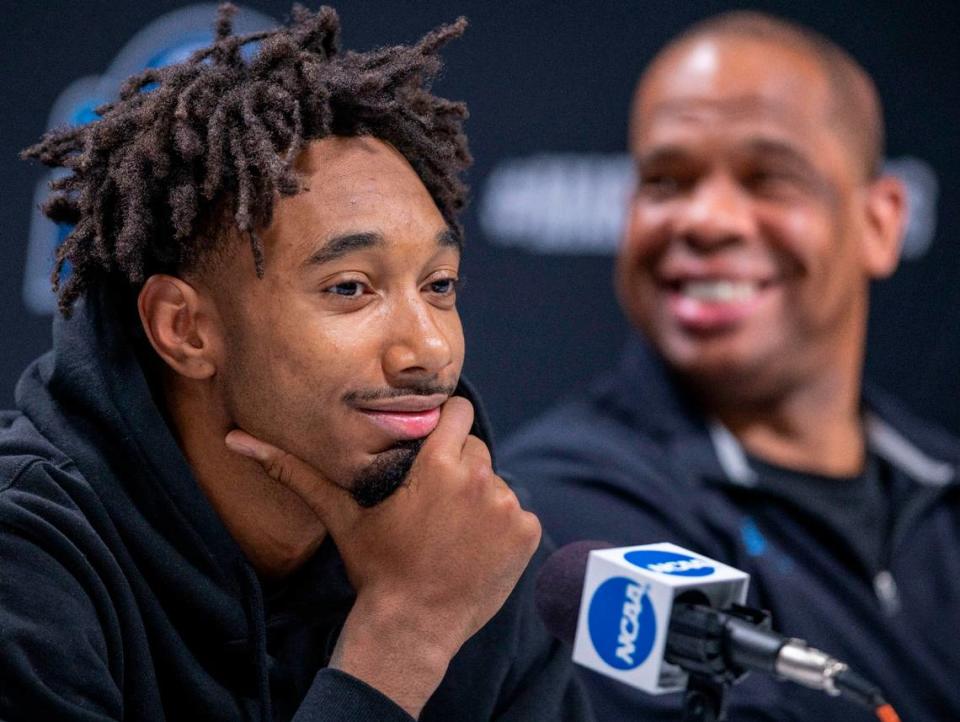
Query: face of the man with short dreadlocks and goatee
x=343, y=353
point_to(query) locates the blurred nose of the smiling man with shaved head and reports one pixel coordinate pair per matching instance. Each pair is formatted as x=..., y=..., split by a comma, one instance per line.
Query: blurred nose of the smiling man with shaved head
x=718, y=212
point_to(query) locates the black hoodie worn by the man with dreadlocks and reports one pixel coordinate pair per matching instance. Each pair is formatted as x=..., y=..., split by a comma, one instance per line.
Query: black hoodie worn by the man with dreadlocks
x=123, y=596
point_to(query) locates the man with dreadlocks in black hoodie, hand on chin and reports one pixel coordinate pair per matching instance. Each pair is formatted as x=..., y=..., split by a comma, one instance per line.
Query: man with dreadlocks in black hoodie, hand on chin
x=248, y=481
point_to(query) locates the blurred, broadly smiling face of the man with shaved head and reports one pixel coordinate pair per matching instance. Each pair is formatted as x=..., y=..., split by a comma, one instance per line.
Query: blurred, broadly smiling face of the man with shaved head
x=742, y=261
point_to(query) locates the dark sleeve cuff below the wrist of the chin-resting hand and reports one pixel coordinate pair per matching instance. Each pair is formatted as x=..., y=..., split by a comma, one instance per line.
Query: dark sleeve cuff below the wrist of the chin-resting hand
x=336, y=696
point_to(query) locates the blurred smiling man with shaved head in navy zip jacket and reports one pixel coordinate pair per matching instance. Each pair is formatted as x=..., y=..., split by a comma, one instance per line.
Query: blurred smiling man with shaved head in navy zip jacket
x=738, y=426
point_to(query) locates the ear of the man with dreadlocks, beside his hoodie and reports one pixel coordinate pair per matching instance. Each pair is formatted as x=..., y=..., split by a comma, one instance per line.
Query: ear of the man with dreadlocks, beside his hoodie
x=180, y=325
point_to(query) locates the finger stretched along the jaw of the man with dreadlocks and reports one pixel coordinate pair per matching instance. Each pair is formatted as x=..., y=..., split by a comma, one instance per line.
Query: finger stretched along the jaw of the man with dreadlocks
x=332, y=505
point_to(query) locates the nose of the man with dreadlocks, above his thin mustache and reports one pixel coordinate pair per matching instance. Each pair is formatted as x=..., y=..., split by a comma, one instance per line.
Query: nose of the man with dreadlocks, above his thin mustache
x=417, y=341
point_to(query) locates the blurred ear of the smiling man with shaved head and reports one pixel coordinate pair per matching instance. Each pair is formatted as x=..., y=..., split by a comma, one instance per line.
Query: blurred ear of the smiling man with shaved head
x=886, y=215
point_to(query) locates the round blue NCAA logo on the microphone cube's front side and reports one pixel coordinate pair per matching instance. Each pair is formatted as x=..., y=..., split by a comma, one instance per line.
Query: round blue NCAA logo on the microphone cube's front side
x=622, y=623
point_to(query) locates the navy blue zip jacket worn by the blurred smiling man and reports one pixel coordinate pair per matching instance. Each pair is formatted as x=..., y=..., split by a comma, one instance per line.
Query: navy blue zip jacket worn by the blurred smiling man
x=635, y=463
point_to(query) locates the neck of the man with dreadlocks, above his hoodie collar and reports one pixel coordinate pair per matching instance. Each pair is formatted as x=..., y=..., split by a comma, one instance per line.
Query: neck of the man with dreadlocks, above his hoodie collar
x=273, y=526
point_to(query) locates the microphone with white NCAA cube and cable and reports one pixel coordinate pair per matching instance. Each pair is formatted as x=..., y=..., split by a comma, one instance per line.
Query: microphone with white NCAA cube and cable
x=663, y=619
